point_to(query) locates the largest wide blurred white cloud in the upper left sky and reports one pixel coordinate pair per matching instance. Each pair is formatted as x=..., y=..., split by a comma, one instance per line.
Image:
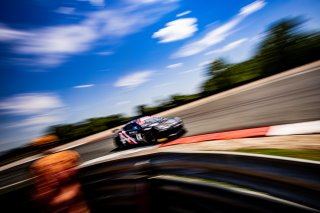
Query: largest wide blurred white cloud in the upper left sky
x=51, y=45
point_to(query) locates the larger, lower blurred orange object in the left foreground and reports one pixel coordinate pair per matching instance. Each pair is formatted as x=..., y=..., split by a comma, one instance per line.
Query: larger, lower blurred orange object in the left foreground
x=56, y=187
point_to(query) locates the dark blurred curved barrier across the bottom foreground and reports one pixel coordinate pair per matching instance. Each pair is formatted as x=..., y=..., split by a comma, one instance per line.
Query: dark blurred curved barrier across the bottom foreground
x=188, y=182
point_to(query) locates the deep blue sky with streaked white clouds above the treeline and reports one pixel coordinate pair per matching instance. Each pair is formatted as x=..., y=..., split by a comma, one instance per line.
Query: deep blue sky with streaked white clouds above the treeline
x=66, y=61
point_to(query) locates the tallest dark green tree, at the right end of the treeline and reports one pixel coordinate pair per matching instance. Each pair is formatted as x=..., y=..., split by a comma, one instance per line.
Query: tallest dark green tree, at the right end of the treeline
x=287, y=46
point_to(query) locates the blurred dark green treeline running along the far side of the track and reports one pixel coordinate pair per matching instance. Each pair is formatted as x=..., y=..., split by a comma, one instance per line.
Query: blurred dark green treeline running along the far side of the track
x=285, y=45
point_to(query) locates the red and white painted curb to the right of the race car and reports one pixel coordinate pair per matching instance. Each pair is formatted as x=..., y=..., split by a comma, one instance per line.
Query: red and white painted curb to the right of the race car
x=310, y=127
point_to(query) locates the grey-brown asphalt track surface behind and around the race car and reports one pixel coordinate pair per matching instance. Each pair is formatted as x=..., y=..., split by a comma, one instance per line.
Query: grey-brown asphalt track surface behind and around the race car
x=290, y=100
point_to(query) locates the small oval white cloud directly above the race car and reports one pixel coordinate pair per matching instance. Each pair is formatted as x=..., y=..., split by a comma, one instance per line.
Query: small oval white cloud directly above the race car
x=134, y=79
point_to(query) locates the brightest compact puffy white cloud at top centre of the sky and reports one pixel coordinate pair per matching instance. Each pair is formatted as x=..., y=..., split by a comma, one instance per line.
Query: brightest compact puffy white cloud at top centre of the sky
x=177, y=30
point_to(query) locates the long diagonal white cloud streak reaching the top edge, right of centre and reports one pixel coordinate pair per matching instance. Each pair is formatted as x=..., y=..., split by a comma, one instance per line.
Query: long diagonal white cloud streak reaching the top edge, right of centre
x=219, y=34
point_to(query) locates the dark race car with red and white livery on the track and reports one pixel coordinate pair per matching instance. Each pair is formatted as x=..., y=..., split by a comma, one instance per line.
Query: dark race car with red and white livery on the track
x=148, y=130
